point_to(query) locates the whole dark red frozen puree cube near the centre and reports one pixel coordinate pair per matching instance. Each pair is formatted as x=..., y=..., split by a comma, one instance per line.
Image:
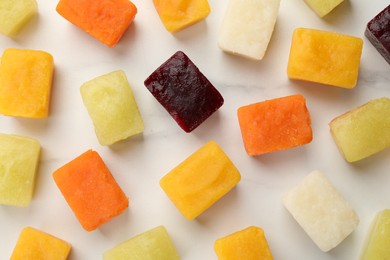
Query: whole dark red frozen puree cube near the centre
x=184, y=91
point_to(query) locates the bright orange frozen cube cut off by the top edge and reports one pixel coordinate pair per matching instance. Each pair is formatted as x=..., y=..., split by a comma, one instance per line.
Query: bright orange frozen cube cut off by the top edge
x=106, y=20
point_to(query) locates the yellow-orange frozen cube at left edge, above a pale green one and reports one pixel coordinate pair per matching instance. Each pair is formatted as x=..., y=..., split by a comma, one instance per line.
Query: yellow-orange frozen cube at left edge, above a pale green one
x=25, y=83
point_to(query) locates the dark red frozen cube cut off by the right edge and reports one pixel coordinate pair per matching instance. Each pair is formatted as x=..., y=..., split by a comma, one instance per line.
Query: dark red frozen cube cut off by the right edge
x=378, y=32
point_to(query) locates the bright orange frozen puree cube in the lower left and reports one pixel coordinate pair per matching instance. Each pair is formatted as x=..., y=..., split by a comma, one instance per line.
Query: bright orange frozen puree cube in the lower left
x=90, y=190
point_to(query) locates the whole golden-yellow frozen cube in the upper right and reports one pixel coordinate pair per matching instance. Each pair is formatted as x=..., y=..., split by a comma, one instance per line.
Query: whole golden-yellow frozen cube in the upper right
x=325, y=57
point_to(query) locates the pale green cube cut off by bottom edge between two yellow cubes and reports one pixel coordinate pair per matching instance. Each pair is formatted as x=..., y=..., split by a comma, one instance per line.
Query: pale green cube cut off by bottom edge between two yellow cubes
x=151, y=245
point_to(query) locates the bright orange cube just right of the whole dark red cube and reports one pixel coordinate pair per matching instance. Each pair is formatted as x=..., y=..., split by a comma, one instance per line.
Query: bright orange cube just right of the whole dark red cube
x=275, y=124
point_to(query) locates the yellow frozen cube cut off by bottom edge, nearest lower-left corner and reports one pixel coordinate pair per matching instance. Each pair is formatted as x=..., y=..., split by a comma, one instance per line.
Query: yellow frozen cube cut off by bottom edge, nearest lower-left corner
x=36, y=244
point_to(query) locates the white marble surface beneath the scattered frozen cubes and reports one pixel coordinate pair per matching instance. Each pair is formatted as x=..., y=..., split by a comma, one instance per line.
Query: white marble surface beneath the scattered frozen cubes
x=140, y=162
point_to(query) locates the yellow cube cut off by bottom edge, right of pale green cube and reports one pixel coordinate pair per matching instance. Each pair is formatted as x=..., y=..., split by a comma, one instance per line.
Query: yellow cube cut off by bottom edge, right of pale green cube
x=248, y=244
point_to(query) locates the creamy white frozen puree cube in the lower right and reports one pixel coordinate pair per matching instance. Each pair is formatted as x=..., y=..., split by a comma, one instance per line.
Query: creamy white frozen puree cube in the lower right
x=321, y=211
